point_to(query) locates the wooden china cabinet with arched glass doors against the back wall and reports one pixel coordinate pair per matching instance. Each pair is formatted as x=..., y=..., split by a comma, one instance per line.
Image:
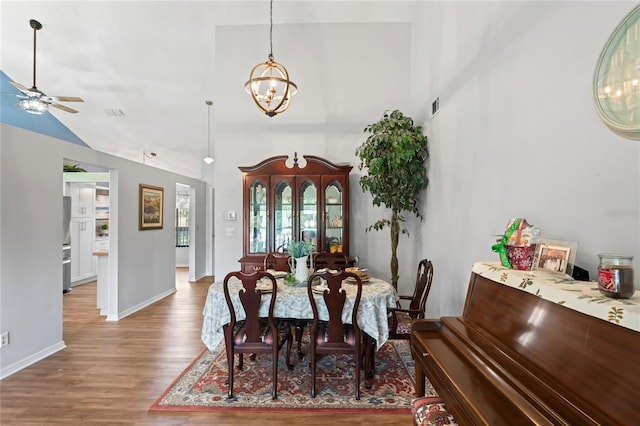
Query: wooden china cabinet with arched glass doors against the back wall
x=284, y=203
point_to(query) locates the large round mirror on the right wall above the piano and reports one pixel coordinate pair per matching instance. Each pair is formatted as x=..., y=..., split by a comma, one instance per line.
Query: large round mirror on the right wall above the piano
x=616, y=83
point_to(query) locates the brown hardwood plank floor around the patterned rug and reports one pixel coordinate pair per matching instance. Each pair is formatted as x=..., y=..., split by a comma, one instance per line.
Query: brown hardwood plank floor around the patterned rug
x=111, y=372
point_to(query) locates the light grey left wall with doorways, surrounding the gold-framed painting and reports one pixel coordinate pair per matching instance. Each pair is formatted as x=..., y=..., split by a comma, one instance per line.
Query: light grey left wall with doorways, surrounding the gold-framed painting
x=30, y=252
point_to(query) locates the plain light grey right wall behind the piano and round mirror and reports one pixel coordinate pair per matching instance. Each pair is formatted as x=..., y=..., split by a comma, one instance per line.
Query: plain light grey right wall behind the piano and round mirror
x=517, y=134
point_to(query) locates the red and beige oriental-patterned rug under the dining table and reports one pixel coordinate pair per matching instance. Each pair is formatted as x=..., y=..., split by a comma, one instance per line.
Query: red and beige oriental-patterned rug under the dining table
x=203, y=385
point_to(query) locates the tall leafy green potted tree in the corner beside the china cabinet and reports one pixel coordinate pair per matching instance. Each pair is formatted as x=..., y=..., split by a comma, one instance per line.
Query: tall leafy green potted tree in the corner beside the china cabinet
x=395, y=155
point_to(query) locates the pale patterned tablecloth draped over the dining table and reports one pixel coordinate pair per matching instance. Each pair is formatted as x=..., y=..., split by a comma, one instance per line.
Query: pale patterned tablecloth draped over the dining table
x=292, y=302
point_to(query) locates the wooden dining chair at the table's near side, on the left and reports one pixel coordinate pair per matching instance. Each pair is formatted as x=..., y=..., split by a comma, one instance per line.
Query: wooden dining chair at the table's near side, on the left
x=254, y=334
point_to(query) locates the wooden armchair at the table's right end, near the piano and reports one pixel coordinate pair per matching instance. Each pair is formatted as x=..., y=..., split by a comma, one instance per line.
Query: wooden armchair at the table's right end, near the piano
x=400, y=319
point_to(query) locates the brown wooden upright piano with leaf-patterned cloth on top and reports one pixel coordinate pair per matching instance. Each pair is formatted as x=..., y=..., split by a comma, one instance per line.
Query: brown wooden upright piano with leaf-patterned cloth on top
x=533, y=350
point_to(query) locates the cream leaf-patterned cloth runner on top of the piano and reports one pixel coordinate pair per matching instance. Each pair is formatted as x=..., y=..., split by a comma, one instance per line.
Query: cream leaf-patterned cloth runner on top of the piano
x=582, y=296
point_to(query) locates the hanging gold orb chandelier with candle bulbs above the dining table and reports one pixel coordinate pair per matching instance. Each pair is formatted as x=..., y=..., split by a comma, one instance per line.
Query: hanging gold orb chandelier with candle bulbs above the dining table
x=269, y=83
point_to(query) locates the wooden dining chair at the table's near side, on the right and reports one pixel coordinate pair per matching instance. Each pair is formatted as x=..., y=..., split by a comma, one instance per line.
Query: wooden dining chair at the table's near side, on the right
x=334, y=336
